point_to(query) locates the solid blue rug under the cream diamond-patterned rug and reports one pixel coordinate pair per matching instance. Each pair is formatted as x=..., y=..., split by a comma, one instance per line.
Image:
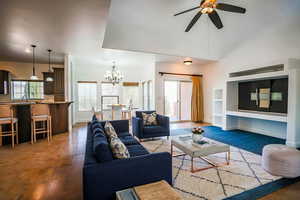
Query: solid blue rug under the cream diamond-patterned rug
x=248, y=141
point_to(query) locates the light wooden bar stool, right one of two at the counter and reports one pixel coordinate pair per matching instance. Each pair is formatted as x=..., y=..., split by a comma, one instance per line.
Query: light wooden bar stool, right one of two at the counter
x=40, y=113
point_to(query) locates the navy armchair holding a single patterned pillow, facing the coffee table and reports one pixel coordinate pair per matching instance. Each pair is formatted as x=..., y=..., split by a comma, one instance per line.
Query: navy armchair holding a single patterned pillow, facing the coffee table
x=143, y=132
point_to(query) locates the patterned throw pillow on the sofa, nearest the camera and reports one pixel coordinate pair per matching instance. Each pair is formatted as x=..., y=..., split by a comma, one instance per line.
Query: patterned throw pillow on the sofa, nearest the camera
x=118, y=148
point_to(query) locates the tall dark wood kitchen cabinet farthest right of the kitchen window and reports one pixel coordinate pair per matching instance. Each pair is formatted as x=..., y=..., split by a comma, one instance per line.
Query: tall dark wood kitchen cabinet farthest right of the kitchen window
x=59, y=84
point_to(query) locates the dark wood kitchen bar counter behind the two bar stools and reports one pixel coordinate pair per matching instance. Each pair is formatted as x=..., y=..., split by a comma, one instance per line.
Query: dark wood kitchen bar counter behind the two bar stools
x=58, y=112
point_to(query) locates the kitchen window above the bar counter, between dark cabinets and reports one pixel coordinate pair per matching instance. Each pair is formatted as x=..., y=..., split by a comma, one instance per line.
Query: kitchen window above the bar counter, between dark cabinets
x=27, y=89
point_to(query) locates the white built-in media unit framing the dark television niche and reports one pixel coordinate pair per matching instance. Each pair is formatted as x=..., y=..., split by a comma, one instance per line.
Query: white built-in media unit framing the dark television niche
x=285, y=126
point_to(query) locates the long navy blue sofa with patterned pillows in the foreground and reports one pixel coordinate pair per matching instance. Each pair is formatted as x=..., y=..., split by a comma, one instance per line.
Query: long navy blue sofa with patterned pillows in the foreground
x=103, y=175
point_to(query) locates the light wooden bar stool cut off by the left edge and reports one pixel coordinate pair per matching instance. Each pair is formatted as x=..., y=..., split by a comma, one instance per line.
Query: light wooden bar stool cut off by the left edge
x=6, y=118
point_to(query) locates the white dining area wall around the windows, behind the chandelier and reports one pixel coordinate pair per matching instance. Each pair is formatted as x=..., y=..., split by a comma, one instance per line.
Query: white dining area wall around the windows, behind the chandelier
x=93, y=70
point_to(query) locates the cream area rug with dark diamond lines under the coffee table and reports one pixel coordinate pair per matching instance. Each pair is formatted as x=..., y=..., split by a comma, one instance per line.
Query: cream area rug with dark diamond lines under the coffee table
x=243, y=173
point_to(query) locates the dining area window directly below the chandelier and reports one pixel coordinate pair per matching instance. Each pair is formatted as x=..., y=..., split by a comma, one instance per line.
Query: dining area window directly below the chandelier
x=110, y=95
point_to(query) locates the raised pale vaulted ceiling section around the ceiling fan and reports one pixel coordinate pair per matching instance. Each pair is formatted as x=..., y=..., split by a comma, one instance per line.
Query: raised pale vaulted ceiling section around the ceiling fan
x=150, y=26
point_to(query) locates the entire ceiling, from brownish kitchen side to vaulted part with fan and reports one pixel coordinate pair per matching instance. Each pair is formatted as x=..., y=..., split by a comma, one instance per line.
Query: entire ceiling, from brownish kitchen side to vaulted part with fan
x=84, y=27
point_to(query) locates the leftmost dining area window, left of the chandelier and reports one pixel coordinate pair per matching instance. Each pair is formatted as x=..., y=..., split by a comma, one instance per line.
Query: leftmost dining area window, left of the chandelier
x=87, y=96
